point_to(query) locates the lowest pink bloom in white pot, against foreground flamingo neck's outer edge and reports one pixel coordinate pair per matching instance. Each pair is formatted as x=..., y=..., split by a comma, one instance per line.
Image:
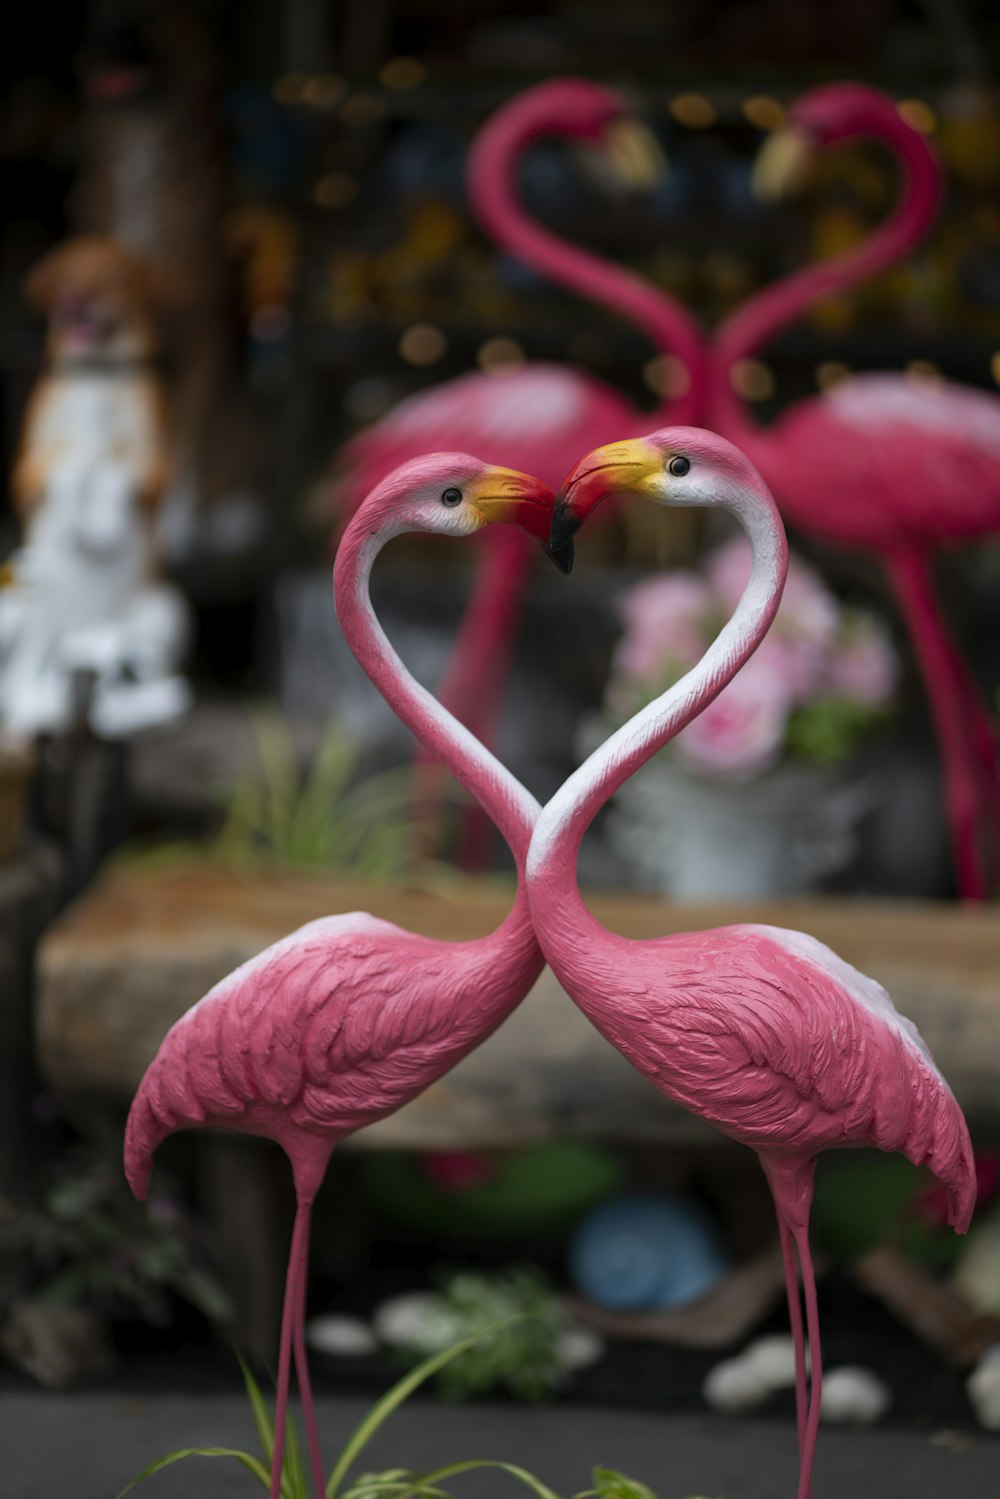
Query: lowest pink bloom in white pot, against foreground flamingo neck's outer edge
x=743, y=732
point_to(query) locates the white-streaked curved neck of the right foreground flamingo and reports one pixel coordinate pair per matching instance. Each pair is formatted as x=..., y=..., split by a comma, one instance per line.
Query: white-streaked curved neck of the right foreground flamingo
x=560, y=914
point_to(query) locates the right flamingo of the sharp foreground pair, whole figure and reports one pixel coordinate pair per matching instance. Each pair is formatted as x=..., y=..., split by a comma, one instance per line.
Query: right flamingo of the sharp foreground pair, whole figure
x=762, y=1032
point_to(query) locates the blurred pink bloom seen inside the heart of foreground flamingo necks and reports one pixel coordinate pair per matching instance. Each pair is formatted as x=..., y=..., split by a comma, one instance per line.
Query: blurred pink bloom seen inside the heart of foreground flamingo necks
x=665, y=627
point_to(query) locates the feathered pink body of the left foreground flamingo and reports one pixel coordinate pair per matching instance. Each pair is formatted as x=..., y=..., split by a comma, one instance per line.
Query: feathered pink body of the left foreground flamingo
x=325, y=1032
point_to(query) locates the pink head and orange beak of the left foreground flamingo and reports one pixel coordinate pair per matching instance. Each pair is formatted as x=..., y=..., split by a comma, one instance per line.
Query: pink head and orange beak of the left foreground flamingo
x=457, y=495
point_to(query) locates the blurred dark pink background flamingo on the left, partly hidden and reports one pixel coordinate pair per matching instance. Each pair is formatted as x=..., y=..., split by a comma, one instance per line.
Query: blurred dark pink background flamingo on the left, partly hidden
x=543, y=416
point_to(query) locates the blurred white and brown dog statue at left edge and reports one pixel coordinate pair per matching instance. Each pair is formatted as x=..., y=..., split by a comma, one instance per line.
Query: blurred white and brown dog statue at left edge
x=92, y=467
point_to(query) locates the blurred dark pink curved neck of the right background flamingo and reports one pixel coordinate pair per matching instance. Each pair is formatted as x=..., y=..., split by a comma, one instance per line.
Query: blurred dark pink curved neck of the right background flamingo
x=774, y=308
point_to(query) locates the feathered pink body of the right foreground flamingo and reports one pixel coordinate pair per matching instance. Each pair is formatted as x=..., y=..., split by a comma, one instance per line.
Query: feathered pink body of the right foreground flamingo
x=776, y=1041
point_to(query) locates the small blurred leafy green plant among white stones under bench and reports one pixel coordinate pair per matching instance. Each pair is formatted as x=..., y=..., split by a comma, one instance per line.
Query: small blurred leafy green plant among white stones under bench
x=512, y=1323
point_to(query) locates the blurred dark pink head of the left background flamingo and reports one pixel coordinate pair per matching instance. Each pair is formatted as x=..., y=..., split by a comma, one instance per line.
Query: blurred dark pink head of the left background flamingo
x=579, y=110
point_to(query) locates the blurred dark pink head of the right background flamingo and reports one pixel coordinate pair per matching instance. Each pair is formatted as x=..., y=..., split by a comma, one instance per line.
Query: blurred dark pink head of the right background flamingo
x=822, y=118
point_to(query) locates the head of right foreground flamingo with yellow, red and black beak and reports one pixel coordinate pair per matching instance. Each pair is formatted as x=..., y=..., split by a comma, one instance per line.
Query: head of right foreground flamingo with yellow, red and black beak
x=672, y=467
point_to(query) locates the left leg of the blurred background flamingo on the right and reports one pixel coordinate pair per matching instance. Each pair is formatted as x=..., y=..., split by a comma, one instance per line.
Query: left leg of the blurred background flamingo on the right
x=909, y=576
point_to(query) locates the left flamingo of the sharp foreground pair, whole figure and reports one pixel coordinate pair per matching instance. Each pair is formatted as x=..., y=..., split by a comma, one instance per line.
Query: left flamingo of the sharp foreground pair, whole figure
x=352, y=1017
